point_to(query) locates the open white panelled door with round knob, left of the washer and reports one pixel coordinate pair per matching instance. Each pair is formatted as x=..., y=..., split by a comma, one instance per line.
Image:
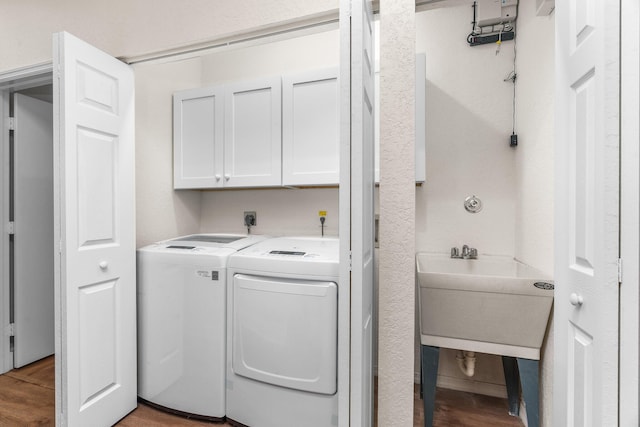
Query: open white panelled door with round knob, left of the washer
x=95, y=227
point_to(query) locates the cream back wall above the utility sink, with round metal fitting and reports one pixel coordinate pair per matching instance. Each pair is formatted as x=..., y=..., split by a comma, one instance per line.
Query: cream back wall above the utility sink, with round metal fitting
x=468, y=123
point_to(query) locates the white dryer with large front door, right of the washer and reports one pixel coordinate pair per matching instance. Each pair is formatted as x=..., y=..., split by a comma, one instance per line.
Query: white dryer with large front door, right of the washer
x=282, y=333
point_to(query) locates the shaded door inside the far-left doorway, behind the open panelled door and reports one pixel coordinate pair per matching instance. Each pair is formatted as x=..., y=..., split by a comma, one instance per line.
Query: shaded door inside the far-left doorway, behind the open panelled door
x=33, y=238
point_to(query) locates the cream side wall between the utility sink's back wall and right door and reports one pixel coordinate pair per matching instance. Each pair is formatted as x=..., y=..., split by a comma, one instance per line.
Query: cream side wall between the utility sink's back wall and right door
x=534, y=163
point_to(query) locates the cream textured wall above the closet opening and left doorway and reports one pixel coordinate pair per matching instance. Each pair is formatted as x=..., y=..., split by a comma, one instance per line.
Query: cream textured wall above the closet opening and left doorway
x=126, y=28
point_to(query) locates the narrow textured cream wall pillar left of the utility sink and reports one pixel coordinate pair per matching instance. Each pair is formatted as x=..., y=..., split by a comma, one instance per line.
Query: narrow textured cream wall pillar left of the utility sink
x=397, y=213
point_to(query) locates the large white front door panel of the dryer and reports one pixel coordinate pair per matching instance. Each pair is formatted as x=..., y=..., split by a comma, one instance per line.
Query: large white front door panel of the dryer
x=285, y=332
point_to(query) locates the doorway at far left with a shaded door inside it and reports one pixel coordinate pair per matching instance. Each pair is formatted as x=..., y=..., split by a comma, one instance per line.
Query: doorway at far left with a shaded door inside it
x=27, y=199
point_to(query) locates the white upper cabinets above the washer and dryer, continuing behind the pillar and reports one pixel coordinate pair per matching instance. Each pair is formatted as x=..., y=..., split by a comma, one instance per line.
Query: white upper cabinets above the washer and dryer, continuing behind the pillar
x=271, y=132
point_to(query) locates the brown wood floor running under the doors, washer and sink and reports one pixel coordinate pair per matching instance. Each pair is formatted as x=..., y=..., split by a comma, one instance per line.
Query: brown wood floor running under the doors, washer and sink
x=27, y=399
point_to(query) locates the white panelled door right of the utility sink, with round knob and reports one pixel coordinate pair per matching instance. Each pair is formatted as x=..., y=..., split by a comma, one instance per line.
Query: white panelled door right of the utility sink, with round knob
x=587, y=217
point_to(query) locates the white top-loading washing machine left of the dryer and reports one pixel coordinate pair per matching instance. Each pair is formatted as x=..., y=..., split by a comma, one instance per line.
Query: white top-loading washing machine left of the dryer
x=181, y=322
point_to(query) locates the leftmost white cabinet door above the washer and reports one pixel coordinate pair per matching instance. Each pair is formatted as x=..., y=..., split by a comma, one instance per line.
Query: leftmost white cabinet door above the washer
x=198, y=133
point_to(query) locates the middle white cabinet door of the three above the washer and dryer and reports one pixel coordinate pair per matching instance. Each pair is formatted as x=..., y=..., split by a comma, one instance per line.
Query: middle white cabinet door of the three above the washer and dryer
x=252, y=137
